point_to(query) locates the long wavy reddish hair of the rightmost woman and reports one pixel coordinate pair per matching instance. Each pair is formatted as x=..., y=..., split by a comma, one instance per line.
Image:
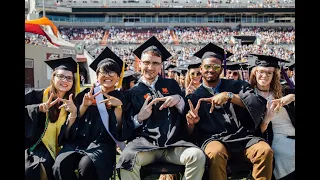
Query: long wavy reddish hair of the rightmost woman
x=275, y=86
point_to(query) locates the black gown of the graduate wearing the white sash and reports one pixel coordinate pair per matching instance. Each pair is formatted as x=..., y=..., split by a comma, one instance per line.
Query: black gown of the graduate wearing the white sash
x=89, y=136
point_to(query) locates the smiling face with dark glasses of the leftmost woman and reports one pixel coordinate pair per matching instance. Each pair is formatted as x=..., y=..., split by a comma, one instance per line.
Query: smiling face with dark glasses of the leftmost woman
x=63, y=80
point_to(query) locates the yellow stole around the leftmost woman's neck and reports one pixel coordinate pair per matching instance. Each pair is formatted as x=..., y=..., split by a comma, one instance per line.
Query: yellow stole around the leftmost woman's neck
x=50, y=138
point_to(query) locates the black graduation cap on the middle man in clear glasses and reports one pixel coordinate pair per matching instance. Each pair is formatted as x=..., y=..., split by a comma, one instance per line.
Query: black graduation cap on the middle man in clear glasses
x=153, y=44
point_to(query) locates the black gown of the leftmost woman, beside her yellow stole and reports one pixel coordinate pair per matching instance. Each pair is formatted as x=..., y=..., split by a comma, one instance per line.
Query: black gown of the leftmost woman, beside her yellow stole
x=34, y=127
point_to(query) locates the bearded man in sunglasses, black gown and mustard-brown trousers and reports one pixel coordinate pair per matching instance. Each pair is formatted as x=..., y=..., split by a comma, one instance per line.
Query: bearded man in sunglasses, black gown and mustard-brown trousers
x=225, y=117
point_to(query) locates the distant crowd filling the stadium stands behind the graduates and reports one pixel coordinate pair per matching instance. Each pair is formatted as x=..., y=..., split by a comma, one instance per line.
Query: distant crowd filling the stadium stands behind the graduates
x=277, y=42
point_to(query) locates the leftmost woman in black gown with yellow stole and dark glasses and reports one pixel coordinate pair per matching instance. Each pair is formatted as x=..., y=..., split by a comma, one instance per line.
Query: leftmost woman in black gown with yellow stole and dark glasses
x=45, y=112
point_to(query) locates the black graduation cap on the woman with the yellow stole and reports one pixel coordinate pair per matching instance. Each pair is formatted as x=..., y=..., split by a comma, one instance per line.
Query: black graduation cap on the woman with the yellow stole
x=67, y=63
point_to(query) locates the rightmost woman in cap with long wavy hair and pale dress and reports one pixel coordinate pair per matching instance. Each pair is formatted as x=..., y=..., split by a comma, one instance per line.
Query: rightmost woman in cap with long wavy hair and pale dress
x=278, y=124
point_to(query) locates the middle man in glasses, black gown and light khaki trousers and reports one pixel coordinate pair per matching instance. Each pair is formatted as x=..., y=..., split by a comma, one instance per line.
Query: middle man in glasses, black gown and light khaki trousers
x=160, y=127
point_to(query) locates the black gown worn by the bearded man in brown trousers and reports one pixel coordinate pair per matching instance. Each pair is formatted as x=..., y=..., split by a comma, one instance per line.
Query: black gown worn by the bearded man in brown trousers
x=235, y=131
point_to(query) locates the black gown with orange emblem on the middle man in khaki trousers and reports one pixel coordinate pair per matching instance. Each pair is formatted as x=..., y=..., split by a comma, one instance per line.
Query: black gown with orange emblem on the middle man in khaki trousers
x=161, y=130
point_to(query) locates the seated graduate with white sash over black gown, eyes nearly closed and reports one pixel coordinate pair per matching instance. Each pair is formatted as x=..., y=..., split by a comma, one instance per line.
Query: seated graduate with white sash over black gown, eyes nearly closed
x=89, y=145
